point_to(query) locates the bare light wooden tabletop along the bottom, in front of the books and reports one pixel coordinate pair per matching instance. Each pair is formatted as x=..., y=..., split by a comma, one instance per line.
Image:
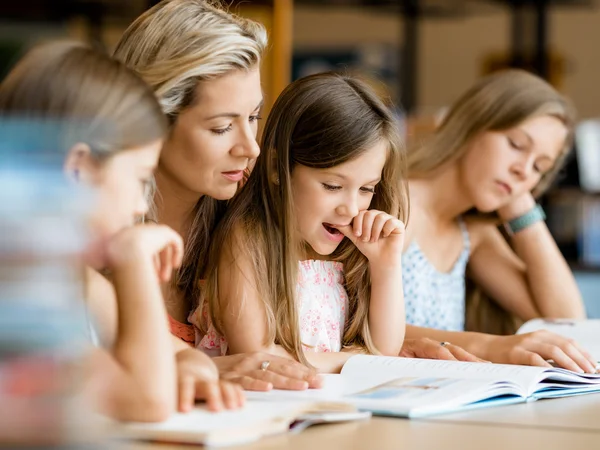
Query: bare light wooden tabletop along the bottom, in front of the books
x=561, y=424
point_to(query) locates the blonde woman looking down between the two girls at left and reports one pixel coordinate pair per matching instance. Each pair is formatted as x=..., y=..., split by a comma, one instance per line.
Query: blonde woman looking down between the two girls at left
x=203, y=65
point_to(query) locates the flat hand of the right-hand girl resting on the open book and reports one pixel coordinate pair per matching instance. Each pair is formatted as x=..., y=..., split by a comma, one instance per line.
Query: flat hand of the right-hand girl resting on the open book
x=534, y=349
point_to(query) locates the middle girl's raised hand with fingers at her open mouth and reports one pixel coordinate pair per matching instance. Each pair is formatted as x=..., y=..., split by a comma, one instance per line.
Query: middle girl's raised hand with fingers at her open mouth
x=378, y=235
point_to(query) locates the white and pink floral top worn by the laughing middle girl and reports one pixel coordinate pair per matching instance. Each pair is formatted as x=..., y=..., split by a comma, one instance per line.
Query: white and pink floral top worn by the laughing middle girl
x=322, y=302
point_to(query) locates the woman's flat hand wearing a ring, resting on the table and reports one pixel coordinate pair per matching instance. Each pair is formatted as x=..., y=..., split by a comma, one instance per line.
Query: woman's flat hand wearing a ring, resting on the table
x=281, y=373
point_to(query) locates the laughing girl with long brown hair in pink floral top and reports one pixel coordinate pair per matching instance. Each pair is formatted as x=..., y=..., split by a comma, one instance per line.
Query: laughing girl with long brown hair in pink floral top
x=306, y=261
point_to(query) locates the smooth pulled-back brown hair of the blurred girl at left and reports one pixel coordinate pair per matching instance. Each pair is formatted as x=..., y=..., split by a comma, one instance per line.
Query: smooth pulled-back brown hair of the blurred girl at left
x=87, y=95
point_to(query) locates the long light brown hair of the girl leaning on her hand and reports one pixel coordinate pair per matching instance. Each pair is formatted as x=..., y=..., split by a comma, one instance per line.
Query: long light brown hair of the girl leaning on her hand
x=497, y=102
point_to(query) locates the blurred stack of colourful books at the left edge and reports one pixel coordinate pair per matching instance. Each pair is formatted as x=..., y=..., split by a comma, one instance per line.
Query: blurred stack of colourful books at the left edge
x=44, y=330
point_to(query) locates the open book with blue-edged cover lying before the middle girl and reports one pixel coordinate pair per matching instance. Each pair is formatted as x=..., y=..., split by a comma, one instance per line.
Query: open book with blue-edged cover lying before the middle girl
x=408, y=387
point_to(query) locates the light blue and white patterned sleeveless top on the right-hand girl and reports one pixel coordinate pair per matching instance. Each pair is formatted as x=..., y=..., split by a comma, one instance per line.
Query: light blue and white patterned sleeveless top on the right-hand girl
x=435, y=299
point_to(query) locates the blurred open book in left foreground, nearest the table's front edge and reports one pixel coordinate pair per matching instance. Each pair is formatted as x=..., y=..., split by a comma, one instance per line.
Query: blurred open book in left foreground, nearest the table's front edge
x=256, y=420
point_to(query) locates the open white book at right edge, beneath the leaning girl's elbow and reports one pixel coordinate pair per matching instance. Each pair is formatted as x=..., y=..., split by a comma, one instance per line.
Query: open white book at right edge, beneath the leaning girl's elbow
x=585, y=332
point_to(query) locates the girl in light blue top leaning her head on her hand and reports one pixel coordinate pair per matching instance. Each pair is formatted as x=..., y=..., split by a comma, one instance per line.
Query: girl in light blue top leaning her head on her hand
x=499, y=147
